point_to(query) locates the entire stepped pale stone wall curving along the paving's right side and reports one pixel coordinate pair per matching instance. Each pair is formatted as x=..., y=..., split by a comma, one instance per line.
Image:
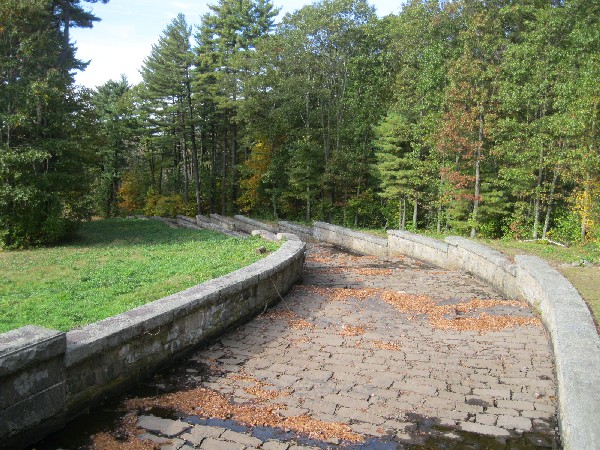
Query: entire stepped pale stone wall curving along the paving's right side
x=574, y=338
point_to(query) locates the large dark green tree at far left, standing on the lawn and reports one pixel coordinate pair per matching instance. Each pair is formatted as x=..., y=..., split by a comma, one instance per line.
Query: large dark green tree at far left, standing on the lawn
x=46, y=150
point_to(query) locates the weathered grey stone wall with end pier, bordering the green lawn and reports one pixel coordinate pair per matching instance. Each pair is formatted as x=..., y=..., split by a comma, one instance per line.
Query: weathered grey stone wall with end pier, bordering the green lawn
x=48, y=377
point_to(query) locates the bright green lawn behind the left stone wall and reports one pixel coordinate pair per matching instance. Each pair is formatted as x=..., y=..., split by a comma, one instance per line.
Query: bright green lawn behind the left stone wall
x=112, y=266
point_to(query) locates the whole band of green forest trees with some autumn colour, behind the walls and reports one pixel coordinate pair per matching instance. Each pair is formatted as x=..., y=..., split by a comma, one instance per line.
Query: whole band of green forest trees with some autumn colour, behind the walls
x=475, y=117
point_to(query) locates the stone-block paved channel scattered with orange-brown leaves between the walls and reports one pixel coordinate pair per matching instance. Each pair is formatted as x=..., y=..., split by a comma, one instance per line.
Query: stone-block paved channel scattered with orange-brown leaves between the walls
x=368, y=353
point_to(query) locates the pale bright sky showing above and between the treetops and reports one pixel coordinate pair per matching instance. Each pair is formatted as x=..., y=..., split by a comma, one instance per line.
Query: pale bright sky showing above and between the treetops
x=120, y=42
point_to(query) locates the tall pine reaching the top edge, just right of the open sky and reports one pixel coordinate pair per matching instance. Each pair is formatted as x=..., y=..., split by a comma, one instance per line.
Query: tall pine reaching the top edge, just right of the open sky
x=226, y=40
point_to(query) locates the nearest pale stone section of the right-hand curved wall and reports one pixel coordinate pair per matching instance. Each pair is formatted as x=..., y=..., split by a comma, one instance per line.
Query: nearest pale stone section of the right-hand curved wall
x=576, y=346
